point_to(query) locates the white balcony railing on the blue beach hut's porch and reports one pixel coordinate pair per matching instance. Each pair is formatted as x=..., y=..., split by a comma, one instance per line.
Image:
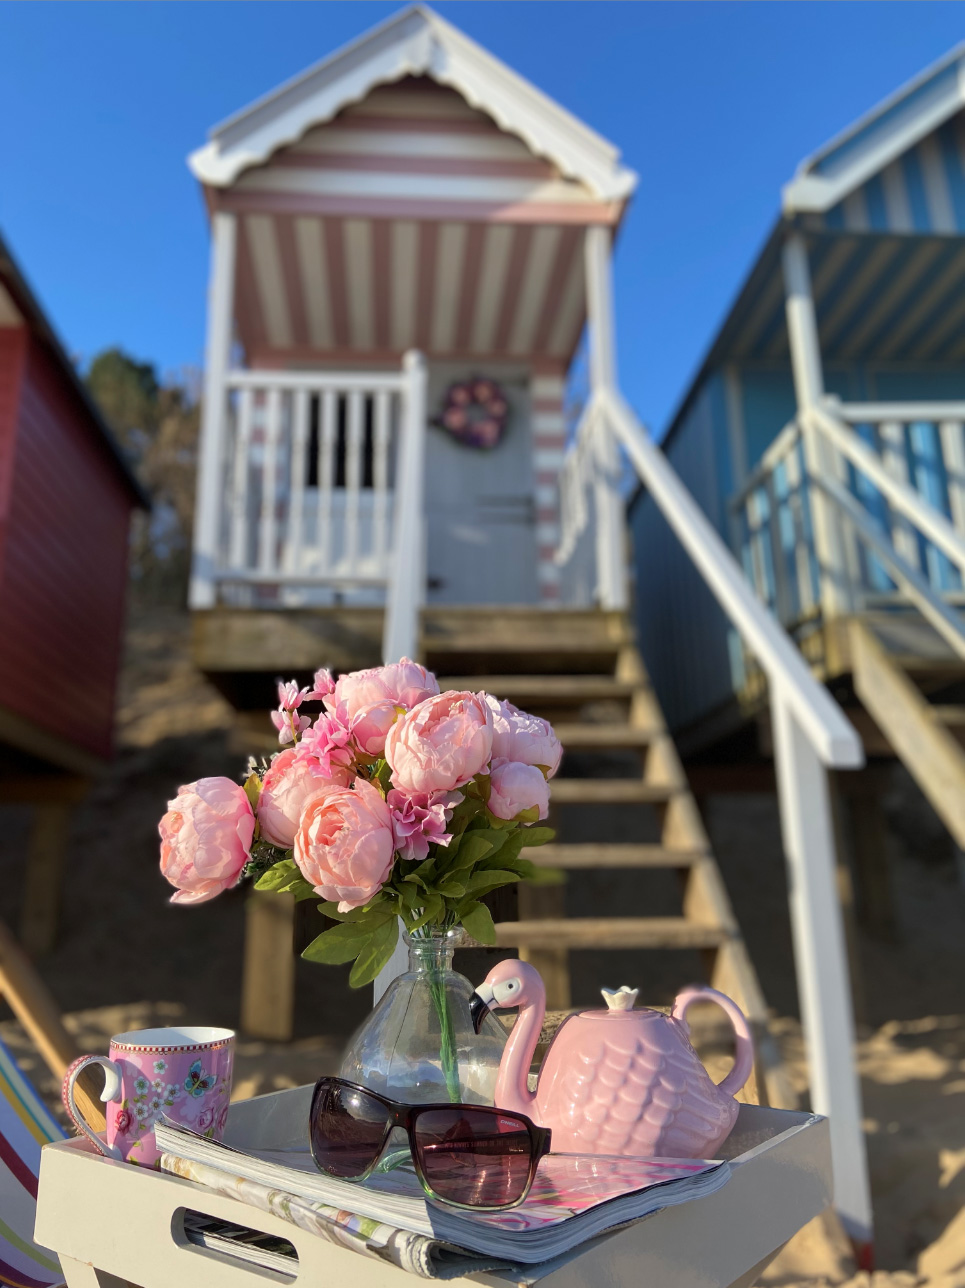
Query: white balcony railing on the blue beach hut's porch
x=888, y=485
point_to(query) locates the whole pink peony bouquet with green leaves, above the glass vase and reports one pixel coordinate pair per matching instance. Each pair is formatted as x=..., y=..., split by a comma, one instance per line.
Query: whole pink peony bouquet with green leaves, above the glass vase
x=395, y=803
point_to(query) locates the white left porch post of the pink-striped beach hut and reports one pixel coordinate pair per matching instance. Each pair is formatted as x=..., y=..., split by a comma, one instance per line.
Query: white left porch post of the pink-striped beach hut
x=215, y=413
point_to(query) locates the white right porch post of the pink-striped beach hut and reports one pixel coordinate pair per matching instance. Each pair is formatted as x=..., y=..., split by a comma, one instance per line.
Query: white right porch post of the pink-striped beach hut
x=609, y=504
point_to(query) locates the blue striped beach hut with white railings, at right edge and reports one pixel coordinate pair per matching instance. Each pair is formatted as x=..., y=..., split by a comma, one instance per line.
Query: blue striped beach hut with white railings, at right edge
x=824, y=439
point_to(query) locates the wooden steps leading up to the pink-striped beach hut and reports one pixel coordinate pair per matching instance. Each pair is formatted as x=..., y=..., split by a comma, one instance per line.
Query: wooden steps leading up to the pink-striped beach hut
x=583, y=672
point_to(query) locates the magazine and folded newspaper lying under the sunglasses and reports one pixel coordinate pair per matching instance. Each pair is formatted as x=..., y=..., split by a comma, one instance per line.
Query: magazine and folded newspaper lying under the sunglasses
x=574, y=1198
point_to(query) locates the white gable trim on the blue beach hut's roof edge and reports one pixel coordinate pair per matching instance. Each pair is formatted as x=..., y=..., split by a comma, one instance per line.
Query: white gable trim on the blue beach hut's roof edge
x=879, y=138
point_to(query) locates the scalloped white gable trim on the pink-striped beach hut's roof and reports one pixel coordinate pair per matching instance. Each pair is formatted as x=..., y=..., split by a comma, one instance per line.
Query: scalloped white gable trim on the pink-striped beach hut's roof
x=414, y=43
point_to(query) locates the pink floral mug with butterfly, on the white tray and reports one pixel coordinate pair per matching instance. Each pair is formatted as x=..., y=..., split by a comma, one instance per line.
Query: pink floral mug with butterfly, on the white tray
x=184, y=1074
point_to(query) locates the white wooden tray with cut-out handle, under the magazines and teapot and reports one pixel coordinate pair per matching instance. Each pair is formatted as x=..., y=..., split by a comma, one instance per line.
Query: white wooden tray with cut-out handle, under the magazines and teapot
x=114, y=1224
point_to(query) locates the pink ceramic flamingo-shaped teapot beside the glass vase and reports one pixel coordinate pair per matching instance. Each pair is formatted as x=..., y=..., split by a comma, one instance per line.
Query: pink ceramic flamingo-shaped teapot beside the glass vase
x=620, y=1081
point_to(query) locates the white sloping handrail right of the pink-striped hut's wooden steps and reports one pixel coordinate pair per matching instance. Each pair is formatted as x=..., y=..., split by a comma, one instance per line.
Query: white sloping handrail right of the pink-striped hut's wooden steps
x=832, y=735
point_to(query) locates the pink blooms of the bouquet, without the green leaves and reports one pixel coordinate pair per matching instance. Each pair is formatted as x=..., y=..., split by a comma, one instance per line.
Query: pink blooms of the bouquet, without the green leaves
x=323, y=798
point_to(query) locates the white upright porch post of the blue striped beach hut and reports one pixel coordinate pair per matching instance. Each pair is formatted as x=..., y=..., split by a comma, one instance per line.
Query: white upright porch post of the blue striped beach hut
x=820, y=458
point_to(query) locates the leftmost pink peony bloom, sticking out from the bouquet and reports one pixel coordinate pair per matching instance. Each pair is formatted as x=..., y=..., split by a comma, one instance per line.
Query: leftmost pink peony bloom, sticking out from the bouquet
x=205, y=839
